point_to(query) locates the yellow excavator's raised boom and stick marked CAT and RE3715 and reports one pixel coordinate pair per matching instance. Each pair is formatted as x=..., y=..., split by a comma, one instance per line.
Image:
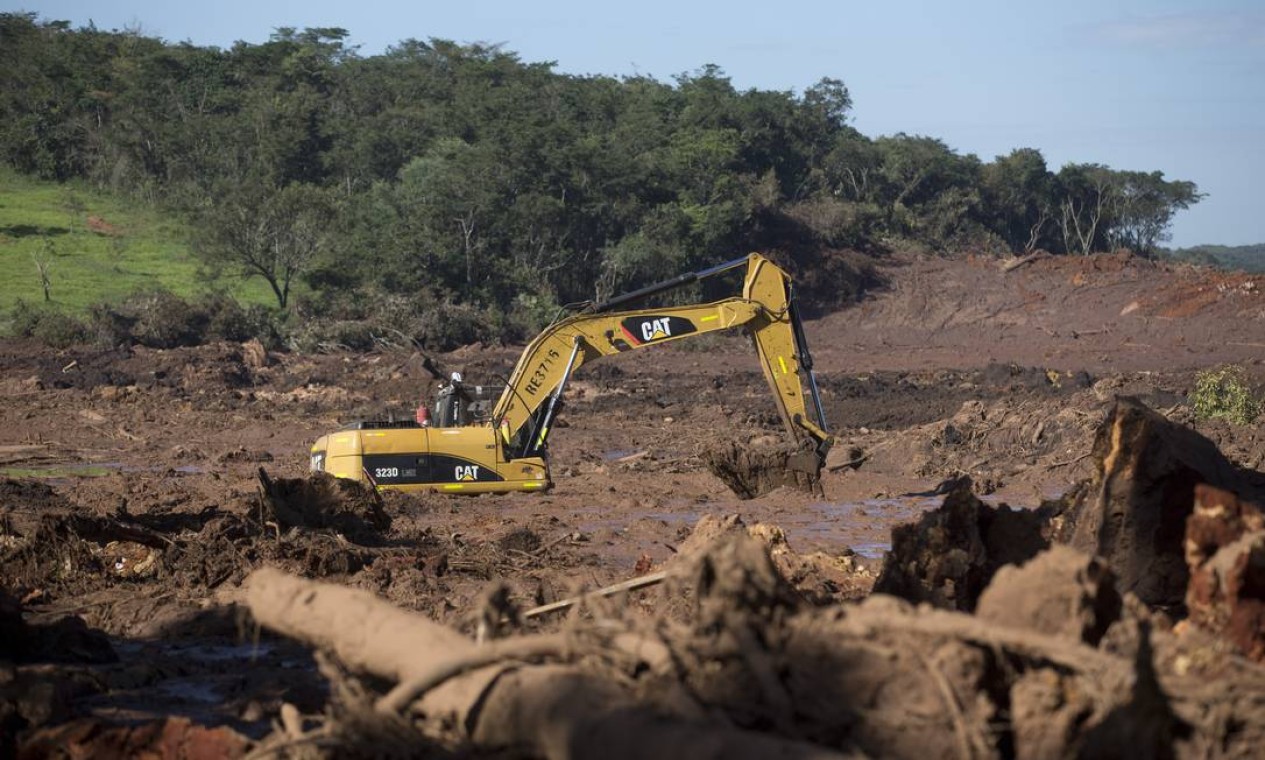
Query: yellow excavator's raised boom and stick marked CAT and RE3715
x=766, y=309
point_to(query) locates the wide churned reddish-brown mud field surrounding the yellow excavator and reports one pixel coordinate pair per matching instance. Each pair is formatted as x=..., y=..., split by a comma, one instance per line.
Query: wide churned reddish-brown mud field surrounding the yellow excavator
x=133, y=512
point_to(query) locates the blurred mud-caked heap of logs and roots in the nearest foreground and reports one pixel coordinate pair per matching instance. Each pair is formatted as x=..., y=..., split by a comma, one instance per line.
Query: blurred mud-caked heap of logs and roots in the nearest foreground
x=755, y=671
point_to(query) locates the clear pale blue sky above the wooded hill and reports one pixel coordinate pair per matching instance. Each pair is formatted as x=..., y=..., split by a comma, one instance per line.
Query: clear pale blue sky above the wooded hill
x=1169, y=85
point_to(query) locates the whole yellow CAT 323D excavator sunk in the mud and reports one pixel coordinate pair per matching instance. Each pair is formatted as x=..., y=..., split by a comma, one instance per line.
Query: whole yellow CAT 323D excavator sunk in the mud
x=508, y=450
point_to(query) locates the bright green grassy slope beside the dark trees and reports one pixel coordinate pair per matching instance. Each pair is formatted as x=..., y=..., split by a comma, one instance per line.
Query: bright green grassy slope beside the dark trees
x=94, y=248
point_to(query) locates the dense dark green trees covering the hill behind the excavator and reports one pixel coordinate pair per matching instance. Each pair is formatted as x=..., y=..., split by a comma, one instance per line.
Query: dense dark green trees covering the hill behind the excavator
x=460, y=176
